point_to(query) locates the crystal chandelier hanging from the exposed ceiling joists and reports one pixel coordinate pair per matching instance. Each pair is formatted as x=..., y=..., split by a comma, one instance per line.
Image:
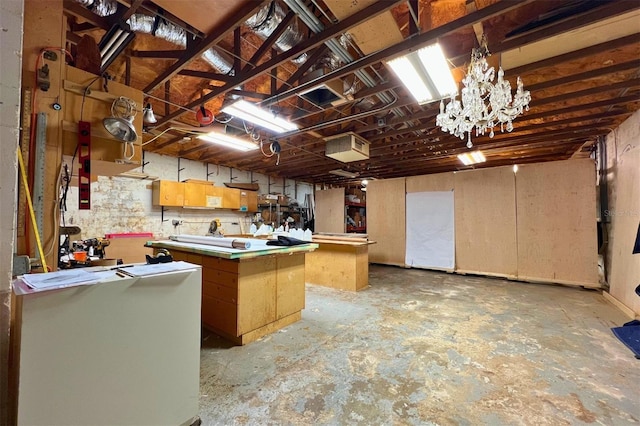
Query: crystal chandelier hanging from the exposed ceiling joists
x=483, y=105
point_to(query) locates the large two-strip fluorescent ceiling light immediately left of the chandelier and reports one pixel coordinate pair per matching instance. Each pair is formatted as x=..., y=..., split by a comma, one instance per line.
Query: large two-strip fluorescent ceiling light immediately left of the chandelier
x=425, y=73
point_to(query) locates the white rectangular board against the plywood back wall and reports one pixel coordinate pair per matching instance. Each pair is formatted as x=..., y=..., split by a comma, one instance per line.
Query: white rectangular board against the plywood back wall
x=430, y=230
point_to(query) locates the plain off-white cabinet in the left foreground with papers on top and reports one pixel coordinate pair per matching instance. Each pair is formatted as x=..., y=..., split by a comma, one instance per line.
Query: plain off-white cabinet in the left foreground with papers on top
x=123, y=352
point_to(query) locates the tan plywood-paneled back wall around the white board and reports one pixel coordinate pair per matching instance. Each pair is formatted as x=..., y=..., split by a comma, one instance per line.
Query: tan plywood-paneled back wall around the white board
x=538, y=224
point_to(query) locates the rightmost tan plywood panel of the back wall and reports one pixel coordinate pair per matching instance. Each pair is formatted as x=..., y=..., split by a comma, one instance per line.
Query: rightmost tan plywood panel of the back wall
x=556, y=213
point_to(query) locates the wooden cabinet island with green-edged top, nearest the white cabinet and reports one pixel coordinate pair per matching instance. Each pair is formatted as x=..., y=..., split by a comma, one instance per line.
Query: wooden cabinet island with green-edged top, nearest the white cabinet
x=246, y=294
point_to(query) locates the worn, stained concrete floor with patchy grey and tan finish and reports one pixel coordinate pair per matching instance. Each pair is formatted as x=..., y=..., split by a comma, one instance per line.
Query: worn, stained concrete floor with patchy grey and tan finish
x=424, y=348
